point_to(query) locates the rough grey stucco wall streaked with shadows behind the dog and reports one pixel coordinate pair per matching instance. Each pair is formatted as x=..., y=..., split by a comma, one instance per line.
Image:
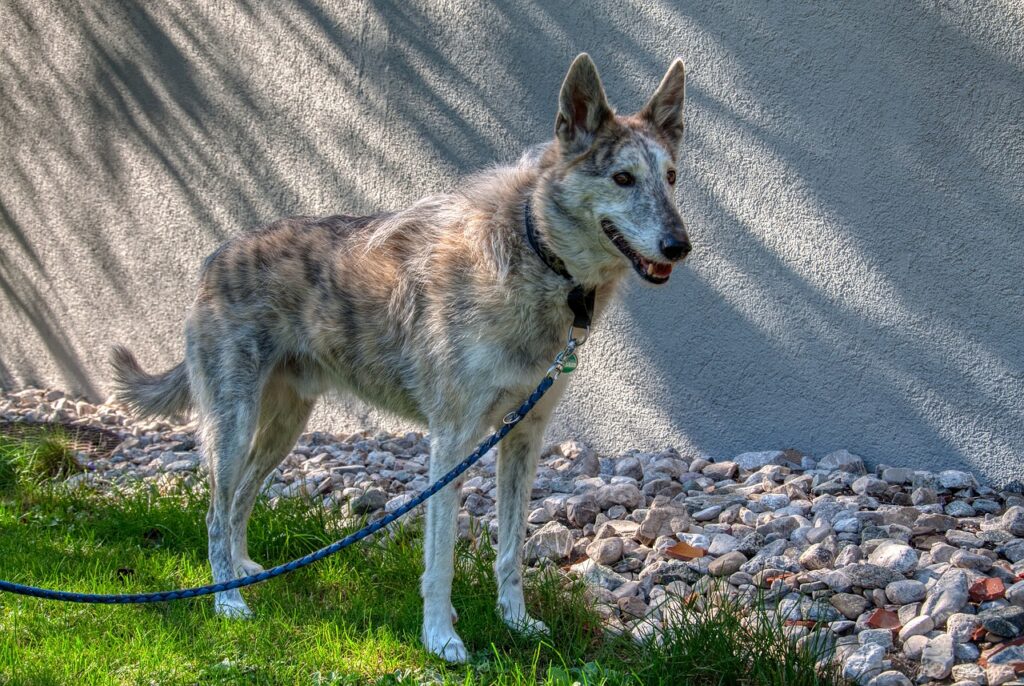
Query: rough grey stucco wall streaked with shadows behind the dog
x=852, y=177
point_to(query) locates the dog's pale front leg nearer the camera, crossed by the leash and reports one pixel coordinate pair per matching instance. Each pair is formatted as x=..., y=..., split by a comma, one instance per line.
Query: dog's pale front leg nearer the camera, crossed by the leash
x=448, y=447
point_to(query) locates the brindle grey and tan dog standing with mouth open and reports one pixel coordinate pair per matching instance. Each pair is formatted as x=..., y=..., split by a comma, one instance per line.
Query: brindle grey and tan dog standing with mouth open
x=446, y=314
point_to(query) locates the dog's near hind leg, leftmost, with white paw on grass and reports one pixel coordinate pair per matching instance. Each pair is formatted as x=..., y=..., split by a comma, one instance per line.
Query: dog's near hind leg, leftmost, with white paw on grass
x=228, y=381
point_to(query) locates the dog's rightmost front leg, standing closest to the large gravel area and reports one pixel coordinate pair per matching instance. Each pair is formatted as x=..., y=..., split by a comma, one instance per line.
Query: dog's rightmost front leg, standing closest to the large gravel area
x=518, y=458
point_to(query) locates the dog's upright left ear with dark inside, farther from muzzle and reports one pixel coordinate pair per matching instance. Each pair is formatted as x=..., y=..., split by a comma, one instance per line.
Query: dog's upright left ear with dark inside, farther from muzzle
x=582, y=106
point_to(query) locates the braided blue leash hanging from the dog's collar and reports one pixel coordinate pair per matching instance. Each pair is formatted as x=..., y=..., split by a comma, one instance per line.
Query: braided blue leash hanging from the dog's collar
x=566, y=359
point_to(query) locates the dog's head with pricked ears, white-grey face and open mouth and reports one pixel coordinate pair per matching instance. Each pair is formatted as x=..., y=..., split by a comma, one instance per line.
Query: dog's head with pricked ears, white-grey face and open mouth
x=615, y=178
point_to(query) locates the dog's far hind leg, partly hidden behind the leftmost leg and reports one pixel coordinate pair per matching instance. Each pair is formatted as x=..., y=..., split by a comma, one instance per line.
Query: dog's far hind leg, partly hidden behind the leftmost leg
x=283, y=416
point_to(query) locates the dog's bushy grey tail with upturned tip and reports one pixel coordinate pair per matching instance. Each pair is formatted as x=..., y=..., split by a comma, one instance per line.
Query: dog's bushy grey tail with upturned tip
x=166, y=395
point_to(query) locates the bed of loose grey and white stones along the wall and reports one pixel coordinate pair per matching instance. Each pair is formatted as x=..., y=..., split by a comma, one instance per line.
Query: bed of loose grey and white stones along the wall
x=903, y=576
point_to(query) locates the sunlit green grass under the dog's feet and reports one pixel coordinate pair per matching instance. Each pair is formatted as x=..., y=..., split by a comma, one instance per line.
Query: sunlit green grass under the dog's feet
x=353, y=619
